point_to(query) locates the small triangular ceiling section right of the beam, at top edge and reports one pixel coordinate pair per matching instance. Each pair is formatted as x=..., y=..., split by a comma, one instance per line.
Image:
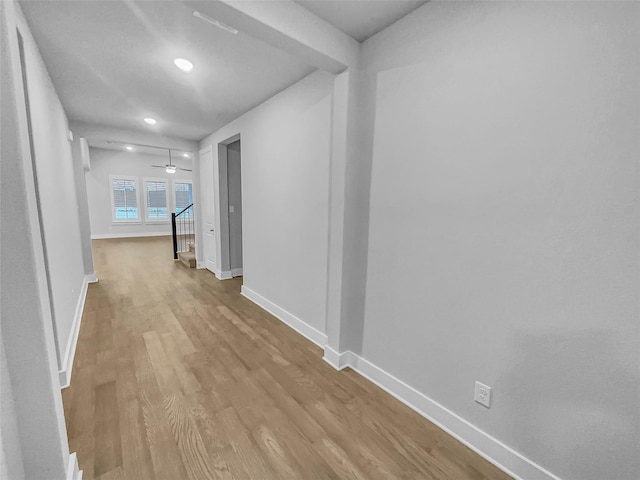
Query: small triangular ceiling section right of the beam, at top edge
x=360, y=19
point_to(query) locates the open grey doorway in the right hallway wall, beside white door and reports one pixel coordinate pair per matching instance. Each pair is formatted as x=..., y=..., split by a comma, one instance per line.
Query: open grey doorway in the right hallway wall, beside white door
x=230, y=206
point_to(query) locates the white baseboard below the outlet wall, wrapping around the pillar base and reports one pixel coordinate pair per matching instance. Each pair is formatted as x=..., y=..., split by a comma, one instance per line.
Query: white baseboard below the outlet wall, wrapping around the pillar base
x=488, y=447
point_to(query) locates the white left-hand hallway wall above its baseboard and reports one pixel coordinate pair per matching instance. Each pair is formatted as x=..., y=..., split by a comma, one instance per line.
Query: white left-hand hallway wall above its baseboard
x=57, y=196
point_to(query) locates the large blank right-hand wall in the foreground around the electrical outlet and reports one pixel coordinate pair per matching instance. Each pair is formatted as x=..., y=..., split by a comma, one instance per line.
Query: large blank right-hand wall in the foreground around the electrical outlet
x=503, y=241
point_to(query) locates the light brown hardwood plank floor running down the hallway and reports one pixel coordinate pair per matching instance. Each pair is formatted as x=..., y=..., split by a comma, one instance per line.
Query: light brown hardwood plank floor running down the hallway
x=177, y=376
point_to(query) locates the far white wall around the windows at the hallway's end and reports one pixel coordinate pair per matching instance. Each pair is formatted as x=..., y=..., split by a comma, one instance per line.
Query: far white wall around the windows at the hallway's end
x=107, y=162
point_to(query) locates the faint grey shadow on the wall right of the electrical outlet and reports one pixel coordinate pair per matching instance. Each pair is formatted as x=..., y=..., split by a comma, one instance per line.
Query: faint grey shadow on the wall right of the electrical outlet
x=582, y=408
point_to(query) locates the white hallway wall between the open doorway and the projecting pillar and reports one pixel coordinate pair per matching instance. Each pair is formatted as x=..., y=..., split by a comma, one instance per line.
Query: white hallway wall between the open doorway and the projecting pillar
x=285, y=174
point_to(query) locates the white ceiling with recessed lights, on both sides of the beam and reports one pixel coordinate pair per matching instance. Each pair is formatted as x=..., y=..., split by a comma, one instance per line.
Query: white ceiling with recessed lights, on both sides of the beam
x=111, y=61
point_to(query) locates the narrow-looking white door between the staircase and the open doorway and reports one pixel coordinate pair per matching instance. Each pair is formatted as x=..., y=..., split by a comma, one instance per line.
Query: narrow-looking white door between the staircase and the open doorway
x=208, y=208
